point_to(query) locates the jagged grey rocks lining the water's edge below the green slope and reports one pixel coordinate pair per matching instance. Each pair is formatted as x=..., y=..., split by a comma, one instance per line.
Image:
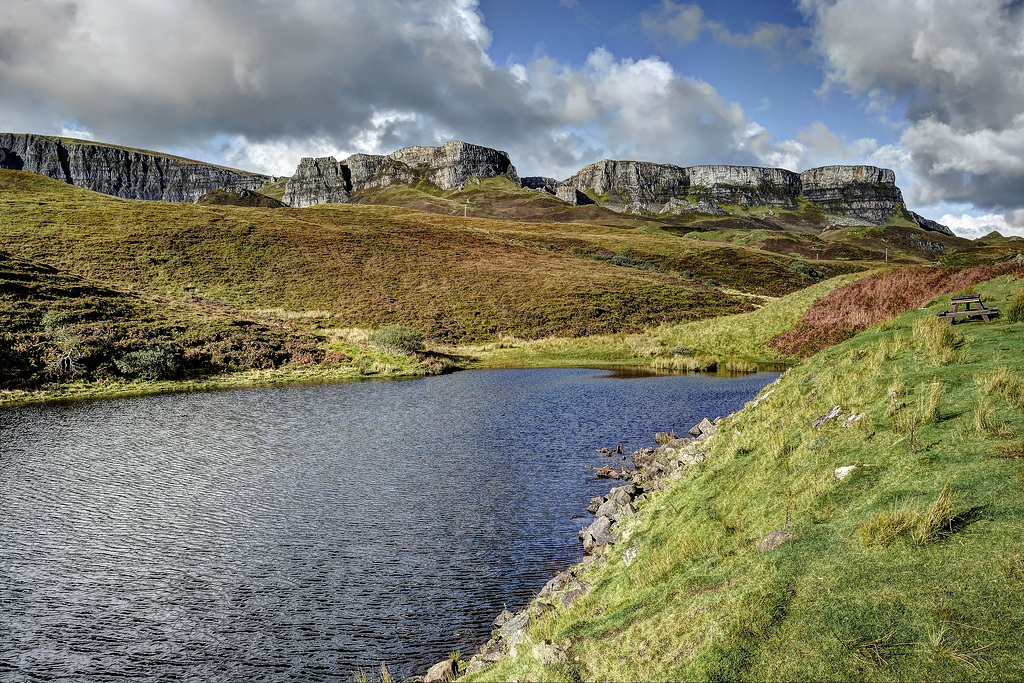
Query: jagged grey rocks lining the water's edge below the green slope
x=655, y=469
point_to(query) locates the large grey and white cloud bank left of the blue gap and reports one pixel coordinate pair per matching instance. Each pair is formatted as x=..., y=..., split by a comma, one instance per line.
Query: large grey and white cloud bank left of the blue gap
x=261, y=86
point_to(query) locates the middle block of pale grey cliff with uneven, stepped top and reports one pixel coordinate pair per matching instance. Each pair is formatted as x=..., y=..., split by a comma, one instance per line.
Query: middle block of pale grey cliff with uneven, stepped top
x=448, y=167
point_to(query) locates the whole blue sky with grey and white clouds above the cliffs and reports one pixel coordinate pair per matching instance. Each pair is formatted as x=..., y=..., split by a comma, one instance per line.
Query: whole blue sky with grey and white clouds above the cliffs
x=933, y=90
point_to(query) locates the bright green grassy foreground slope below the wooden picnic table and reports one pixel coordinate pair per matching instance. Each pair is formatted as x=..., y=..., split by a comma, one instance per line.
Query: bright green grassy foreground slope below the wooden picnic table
x=910, y=568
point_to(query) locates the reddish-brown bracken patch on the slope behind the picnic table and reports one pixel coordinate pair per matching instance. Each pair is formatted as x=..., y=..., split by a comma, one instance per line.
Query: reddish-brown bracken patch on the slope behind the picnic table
x=859, y=306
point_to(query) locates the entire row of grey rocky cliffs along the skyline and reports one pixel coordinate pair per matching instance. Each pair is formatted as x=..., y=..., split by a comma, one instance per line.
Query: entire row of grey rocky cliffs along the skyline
x=856, y=195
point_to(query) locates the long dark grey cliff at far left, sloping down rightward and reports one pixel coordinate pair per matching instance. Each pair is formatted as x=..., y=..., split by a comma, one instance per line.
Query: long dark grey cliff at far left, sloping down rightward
x=119, y=172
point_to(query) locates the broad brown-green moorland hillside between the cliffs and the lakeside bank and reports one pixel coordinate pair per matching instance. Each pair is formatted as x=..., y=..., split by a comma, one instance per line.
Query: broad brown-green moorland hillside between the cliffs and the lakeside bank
x=453, y=279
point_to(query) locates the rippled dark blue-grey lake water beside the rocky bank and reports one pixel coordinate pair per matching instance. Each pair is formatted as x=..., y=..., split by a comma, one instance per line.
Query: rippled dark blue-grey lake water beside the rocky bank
x=298, y=534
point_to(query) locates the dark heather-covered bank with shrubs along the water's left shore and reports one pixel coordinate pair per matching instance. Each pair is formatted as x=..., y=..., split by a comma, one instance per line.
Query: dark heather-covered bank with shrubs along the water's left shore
x=65, y=336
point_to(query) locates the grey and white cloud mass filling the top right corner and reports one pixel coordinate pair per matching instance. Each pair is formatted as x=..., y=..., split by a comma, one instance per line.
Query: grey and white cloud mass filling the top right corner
x=959, y=67
